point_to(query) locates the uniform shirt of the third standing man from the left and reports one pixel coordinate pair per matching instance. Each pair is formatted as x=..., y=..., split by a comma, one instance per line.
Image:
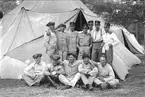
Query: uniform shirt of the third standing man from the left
x=72, y=45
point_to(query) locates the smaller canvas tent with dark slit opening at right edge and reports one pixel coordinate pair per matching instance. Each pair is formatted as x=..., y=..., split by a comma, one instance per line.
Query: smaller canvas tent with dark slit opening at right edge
x=128, y=40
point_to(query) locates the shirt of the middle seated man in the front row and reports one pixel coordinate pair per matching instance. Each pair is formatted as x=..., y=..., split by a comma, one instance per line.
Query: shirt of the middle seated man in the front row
x=70, y=69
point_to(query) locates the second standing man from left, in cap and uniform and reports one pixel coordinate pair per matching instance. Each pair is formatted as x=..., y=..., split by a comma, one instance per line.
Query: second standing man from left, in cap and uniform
x=62, y=41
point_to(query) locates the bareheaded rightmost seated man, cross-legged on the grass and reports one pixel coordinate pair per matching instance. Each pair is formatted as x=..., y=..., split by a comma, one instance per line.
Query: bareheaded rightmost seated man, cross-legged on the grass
x=106, y=75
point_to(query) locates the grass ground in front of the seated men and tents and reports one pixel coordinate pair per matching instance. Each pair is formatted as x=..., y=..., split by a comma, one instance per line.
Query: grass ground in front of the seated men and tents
x=134, y=86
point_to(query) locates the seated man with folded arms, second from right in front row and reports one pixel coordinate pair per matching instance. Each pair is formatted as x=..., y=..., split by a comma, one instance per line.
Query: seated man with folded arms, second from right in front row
x=88, y=71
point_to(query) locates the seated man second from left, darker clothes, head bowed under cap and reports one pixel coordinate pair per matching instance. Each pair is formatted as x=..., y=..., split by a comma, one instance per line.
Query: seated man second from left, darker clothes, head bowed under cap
x=53, y=70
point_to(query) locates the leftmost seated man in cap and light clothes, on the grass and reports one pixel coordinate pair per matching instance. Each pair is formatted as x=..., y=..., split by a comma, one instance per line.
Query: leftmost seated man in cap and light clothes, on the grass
x=33, y=74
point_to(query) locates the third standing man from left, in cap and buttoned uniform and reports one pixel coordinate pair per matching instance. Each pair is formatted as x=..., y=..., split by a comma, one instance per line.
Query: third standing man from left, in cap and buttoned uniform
x=72, y=35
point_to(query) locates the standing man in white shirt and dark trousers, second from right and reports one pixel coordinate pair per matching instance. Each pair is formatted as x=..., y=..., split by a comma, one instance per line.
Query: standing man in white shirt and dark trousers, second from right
x=97, y=42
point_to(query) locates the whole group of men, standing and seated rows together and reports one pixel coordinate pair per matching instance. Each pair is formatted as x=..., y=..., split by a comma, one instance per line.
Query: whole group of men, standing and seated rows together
x=77, y=58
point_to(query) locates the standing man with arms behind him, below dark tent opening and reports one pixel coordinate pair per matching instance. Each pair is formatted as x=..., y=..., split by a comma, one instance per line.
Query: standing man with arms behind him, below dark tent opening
x=84, y=42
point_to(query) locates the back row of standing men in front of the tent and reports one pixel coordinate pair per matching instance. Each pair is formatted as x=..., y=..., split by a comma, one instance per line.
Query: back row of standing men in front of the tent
x=91, y=41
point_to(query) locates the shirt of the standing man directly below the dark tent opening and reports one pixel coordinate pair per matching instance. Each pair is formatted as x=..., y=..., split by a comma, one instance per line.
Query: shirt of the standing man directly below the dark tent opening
x=84, y=39
